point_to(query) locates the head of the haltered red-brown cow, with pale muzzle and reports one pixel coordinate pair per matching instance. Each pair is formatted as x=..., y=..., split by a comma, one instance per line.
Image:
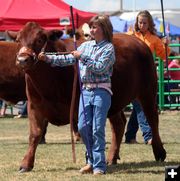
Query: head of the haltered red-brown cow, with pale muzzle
x=35, y=39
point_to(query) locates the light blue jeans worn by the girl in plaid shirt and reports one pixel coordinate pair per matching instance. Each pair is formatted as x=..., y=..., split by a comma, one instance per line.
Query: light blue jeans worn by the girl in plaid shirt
x=92, y=128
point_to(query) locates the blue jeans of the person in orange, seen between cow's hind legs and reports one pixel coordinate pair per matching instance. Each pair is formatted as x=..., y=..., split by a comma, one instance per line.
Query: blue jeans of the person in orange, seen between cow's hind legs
x=138, y=118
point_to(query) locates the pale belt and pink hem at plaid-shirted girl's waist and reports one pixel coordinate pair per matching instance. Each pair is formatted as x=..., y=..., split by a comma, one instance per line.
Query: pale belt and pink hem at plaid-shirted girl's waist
x=106, y=86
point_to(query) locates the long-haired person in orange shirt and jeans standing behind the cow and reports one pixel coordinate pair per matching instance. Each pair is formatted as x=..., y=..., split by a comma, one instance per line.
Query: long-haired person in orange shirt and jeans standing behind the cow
x=145, y=30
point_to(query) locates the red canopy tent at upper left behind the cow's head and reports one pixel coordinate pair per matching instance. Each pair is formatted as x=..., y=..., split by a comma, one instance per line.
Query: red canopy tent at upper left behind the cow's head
x=50, y=14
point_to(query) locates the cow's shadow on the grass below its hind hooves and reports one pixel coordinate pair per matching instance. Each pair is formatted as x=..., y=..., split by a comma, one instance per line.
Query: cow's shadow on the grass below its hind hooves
x=141, y=167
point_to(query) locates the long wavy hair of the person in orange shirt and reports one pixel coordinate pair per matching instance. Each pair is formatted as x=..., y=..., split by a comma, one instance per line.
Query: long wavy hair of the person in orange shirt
x=146, y=14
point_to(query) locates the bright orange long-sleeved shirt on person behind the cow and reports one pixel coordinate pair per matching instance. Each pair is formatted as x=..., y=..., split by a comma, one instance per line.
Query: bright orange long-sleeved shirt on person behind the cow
x=154, y=42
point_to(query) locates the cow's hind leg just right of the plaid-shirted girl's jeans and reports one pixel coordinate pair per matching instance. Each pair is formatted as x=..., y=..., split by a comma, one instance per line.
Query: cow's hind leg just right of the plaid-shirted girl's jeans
x=117, y=123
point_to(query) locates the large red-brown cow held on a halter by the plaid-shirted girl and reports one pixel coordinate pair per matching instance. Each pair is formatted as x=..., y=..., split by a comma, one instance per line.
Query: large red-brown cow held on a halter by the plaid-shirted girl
x=49, y=89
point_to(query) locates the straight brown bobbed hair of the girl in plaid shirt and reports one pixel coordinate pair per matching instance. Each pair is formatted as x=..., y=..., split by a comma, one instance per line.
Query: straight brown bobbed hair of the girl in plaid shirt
x=104, y=22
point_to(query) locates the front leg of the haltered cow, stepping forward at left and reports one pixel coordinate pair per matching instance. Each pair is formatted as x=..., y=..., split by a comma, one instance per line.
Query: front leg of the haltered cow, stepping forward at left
x=36, y=131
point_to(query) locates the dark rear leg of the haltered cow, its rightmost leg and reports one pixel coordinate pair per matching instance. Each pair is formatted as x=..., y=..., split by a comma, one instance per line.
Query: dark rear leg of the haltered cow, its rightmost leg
x=150, y=109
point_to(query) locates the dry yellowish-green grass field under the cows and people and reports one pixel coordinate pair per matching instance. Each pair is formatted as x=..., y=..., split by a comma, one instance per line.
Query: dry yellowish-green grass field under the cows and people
x=54, y=160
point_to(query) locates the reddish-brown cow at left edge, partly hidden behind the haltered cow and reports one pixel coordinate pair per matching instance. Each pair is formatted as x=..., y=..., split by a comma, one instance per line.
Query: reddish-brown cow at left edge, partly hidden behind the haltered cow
x=12, y=82
